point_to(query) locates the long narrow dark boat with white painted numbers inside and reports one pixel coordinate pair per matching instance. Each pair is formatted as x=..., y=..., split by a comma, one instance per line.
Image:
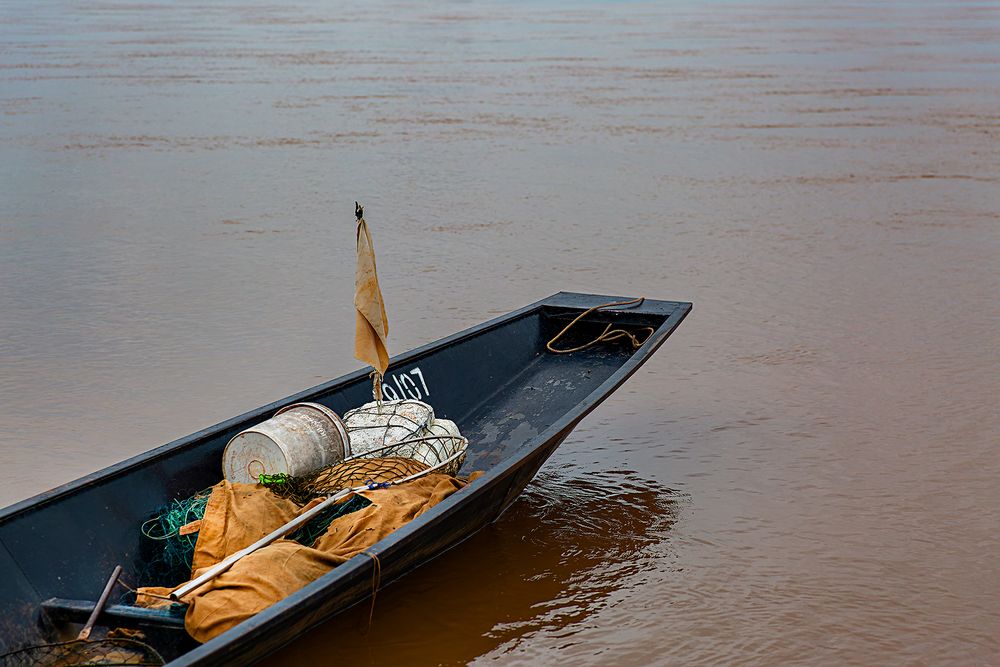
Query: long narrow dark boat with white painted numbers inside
x=513, y=399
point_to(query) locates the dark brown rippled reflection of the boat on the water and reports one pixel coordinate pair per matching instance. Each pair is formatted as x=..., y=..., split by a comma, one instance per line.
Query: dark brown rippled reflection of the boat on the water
x=557, y=556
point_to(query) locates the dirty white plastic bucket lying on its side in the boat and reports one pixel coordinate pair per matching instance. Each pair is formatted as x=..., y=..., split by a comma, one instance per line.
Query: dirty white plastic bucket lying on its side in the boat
x=298, y=439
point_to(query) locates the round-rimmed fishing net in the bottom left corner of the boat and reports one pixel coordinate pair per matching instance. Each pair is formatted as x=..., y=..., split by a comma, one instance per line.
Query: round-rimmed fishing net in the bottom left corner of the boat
x=80, y=652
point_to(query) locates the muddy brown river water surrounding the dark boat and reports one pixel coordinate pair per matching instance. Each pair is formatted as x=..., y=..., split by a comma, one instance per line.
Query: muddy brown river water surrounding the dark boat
x=806, y=473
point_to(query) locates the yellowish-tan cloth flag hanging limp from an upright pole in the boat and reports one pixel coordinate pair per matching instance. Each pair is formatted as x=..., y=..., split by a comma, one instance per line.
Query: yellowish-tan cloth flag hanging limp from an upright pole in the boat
x=371, y=326
